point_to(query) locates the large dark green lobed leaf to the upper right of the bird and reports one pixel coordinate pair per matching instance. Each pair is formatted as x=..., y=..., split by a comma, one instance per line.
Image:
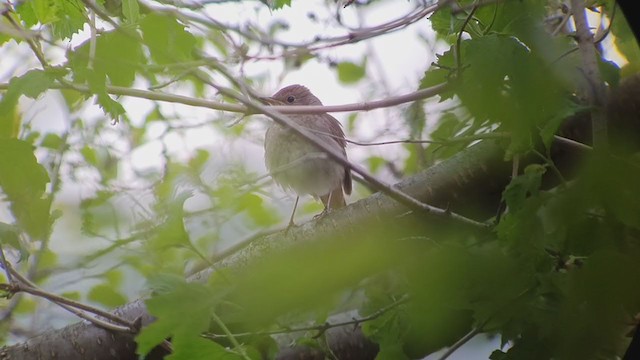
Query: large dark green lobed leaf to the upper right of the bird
x=503, y=83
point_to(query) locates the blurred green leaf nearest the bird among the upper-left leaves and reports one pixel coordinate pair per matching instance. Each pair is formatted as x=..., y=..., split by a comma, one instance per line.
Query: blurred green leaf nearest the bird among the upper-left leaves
x=167, y=40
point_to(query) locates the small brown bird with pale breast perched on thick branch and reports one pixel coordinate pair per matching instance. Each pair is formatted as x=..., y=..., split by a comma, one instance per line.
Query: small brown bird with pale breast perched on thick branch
x=296, y=163
